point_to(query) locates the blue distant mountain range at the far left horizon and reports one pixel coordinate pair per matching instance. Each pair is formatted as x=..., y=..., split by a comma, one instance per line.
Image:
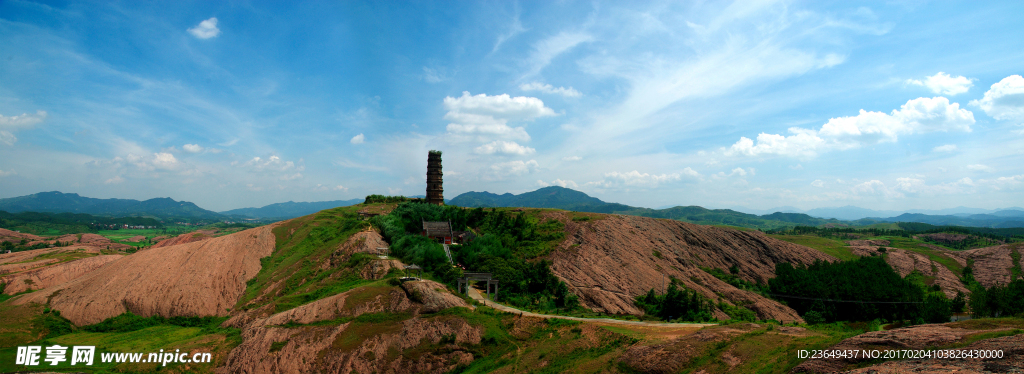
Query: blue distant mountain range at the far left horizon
x=57, y=202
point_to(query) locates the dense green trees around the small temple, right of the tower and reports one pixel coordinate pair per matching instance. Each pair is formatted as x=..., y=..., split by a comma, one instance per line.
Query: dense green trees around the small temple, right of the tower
x=507, y=247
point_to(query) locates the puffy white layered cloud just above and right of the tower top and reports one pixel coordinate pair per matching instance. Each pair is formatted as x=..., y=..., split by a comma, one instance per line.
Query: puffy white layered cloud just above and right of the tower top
x=487, y=117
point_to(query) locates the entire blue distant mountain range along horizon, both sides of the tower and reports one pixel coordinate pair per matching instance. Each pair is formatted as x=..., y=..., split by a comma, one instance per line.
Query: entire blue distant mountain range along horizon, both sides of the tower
x=550, y=197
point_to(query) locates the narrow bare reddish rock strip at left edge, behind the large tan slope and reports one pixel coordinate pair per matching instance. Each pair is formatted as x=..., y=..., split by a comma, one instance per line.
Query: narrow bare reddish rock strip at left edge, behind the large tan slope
x=53, y=276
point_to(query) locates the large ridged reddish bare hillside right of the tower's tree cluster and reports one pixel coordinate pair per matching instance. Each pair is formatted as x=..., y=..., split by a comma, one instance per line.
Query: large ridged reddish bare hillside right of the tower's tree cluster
x=609, y=262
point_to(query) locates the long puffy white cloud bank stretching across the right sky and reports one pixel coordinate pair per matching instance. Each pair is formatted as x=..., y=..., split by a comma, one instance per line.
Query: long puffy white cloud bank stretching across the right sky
x=917, y=116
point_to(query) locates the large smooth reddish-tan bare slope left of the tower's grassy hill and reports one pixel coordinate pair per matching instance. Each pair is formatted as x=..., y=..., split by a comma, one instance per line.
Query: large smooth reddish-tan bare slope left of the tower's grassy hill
x=196, y=279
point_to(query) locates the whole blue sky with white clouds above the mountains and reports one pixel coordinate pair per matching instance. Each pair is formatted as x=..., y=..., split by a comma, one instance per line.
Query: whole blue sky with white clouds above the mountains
x=754, y=104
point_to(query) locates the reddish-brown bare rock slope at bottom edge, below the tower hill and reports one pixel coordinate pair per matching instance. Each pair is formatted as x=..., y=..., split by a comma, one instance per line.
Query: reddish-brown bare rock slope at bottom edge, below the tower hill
x=355, y=347
